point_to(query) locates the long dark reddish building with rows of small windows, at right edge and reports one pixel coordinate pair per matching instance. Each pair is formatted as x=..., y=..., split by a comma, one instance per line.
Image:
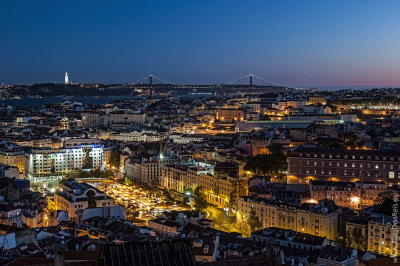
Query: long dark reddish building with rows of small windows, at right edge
x=344, y=165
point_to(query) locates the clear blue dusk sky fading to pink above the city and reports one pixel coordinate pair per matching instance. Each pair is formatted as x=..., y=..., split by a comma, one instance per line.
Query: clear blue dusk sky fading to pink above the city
x=296, y=43
